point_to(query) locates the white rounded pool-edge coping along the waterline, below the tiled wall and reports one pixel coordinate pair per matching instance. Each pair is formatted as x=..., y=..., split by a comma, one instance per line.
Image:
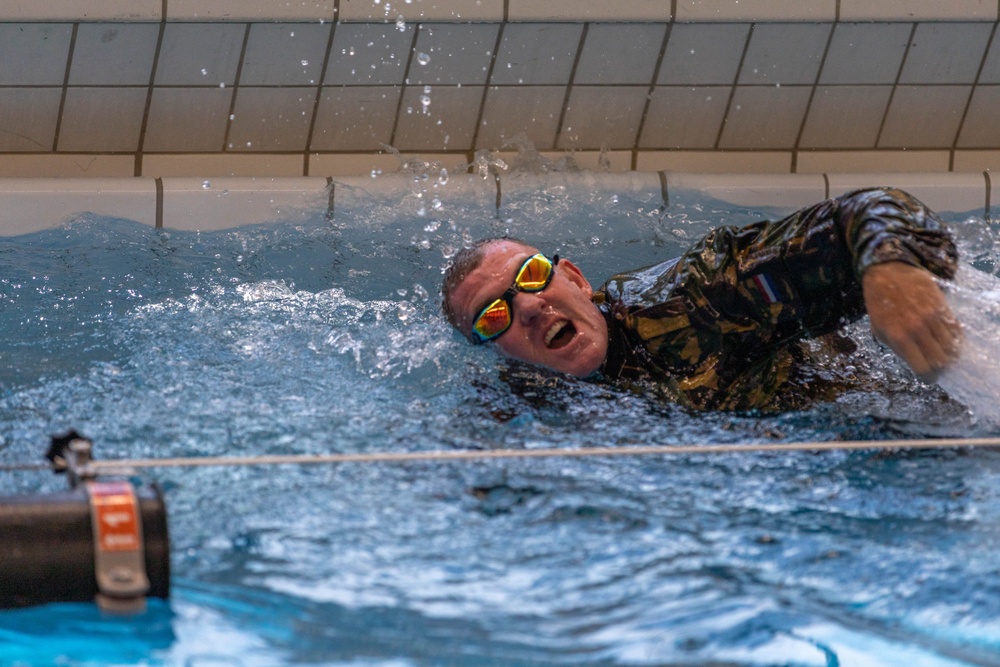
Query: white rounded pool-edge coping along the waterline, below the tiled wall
x=205, y=204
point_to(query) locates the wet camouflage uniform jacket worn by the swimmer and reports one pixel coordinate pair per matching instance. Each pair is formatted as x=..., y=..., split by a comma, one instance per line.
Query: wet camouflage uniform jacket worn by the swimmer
x=715, y=327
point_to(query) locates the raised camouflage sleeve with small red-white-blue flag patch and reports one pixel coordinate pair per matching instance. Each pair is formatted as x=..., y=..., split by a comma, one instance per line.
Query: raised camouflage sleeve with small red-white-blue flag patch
x=803, y=272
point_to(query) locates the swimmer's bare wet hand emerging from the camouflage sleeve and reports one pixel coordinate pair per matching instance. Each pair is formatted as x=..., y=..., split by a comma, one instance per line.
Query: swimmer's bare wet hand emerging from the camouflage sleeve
x=909, y=313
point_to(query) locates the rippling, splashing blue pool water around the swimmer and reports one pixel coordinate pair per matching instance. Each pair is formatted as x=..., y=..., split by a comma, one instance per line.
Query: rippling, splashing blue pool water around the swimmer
x=324, y=336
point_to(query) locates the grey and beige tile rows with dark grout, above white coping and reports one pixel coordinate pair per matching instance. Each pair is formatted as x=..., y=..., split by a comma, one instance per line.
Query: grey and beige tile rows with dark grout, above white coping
x=754, y=84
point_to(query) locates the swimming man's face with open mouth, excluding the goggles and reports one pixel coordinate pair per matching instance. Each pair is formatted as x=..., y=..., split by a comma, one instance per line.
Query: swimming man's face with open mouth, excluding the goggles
x=559, y=327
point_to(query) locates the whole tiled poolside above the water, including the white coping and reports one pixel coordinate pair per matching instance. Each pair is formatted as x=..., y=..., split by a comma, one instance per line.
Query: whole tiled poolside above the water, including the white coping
x=210, y=113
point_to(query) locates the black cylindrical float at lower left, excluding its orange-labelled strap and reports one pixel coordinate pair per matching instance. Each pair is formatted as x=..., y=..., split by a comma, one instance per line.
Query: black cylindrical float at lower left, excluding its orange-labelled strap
x=47, y=547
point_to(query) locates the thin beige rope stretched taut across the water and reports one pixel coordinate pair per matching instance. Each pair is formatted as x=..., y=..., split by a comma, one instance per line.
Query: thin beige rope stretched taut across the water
x=119, y=465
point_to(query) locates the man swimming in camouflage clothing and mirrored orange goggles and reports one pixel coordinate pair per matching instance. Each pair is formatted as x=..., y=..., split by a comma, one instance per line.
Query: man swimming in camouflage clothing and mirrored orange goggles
x=717, y=325
